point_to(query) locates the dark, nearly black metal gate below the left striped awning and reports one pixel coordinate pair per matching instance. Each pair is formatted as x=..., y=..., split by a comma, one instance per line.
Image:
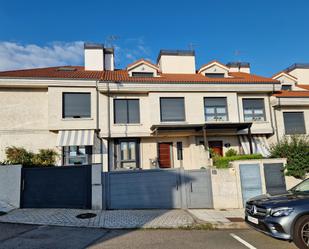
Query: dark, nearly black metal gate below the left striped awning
x=56, y=187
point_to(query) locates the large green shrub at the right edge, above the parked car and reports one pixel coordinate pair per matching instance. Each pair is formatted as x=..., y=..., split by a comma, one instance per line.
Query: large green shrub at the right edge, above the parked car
x=296, y=150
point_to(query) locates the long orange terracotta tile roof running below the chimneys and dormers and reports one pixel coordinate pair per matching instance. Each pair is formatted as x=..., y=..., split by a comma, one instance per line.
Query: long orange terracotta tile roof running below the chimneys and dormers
x=78, y=72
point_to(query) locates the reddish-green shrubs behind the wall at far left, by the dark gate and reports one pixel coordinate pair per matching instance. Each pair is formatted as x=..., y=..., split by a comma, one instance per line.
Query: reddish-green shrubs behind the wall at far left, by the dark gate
x=19, y=155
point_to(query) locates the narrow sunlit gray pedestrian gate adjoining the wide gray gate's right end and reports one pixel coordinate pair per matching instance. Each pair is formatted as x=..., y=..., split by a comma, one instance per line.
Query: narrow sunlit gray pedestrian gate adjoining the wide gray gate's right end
x=199, y=192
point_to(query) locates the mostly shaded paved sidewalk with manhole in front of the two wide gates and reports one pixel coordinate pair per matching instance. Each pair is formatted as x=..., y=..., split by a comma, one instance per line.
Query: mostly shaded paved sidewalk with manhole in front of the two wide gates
x=104, y=219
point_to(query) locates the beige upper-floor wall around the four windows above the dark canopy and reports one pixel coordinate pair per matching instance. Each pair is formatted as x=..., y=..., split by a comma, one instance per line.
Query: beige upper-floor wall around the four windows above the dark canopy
x=194, y=111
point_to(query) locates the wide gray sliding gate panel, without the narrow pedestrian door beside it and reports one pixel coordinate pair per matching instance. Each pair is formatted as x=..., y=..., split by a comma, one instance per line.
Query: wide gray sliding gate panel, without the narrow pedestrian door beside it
x=143, y=189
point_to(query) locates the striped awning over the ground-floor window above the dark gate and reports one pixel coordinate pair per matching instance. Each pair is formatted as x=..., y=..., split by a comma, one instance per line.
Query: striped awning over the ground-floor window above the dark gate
x=75, y=137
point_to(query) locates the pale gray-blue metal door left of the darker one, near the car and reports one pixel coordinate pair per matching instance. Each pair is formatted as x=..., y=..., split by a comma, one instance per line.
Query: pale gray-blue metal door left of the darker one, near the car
x=250, y=177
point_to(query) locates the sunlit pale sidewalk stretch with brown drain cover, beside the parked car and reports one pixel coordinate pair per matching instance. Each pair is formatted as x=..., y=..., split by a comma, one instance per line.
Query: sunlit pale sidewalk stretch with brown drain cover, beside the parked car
x=230, y=218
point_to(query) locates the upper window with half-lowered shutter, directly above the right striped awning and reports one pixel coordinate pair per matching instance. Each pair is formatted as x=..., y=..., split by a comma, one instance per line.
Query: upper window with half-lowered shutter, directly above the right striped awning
x=253, y=109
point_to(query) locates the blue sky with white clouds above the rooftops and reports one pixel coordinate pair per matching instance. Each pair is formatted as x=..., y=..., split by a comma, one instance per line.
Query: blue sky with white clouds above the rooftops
x=270, y=35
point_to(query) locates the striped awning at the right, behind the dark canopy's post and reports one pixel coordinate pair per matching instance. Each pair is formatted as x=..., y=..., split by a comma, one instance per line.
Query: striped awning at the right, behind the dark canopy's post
x=259, y=144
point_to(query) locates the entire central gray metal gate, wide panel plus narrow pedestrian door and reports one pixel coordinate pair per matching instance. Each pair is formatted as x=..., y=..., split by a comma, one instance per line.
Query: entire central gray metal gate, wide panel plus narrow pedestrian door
x=157, y=189
